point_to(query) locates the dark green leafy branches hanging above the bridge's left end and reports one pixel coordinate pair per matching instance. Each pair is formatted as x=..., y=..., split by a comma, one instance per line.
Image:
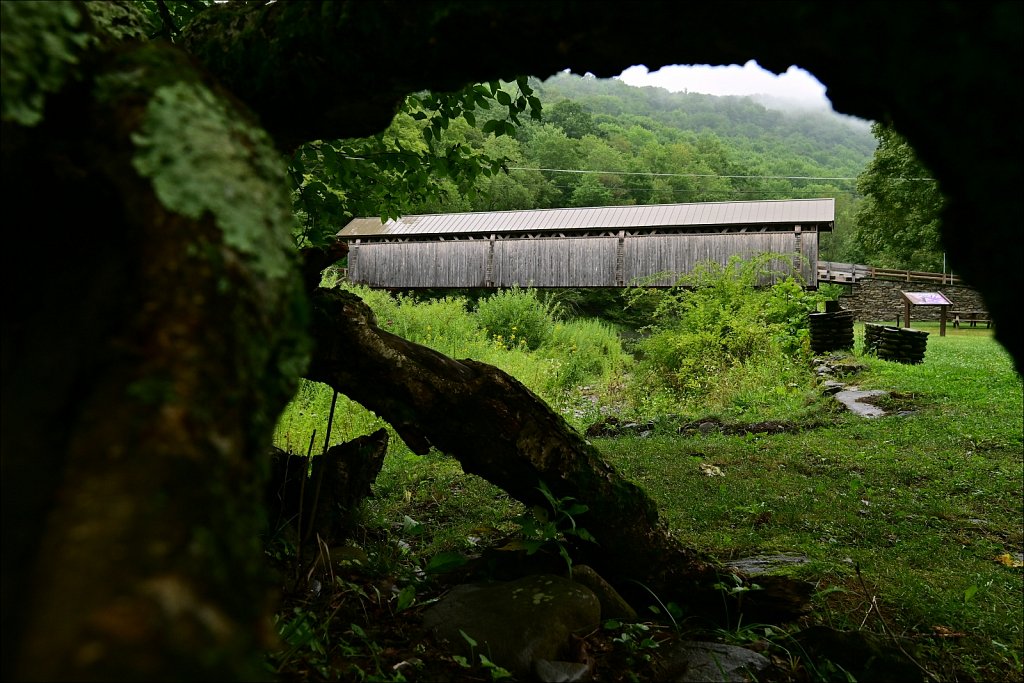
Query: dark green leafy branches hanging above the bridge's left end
x=410, y=162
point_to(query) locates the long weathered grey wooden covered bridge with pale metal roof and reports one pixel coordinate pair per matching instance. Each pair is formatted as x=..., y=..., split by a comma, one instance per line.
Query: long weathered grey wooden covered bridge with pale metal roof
x=591, y=247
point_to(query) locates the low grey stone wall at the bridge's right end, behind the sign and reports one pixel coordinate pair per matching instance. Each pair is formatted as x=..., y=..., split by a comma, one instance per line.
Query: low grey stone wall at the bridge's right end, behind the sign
x=879, y=301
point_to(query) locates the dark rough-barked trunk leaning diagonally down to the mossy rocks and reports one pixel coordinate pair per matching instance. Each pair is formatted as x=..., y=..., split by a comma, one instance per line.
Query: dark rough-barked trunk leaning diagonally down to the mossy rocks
x=500, y=431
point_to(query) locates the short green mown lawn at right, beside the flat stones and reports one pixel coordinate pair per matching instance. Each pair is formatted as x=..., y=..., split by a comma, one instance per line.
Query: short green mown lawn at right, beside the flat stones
x=928, y=504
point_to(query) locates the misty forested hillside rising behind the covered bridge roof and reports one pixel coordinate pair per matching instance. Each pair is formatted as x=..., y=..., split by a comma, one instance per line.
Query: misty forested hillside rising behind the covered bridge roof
x=605, y=143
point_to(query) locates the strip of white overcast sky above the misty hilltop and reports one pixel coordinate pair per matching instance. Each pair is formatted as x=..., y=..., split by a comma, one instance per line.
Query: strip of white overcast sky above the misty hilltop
x=796, y=84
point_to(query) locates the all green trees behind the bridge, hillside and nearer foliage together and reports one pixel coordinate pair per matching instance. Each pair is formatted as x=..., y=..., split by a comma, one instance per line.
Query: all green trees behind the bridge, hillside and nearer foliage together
x=596, y=142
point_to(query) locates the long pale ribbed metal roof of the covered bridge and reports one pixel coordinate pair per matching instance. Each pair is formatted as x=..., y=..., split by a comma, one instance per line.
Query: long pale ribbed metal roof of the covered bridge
x=819, y=211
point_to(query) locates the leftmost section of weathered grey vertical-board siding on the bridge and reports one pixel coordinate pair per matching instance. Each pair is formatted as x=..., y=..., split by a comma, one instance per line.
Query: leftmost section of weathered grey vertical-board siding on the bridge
x=430, y=265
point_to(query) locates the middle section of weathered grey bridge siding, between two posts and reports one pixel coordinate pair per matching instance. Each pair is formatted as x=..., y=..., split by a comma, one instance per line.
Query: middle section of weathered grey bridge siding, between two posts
x=556, y=263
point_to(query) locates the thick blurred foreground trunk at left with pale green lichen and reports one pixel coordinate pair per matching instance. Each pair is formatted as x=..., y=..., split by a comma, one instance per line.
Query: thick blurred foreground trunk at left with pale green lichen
x=146, y=357
